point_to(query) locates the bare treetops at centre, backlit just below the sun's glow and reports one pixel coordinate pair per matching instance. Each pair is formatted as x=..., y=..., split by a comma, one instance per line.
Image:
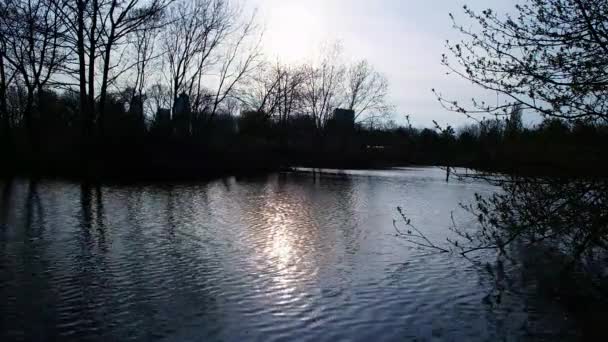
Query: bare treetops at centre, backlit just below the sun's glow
x=320, y=89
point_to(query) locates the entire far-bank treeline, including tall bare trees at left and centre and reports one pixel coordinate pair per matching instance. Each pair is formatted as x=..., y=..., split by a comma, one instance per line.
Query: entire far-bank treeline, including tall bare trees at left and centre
x=167, y=88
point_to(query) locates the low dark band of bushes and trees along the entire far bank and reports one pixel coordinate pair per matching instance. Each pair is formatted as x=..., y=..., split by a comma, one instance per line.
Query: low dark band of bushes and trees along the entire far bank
x=191, y=145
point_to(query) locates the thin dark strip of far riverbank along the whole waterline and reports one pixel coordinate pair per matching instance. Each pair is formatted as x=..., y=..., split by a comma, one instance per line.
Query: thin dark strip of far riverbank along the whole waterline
x=163, y=168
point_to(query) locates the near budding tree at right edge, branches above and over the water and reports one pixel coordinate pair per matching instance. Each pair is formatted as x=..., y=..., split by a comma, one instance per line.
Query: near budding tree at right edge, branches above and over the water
x=550, y=57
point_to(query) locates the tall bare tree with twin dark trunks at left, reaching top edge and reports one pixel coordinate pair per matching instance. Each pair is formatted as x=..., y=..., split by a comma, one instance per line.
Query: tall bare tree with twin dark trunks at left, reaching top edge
x=96, y=28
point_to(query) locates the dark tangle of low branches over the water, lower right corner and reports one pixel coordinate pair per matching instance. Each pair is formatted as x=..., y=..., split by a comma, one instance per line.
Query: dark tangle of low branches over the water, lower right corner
x=559, y=230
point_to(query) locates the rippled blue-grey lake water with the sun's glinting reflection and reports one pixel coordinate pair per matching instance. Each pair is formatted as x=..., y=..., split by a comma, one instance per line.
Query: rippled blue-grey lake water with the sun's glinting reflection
x=280, y=258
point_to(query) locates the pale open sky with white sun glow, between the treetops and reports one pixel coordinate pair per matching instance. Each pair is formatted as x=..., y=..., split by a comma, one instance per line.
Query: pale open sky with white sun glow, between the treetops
x=404, y=39
